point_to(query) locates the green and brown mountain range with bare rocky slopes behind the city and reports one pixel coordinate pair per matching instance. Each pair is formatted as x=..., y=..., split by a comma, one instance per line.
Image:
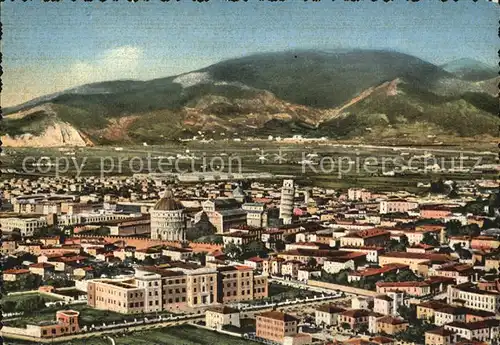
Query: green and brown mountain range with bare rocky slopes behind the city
x=344, y=94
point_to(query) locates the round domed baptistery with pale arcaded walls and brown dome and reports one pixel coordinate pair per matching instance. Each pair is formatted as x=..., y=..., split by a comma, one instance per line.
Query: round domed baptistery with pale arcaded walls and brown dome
x=168, y=219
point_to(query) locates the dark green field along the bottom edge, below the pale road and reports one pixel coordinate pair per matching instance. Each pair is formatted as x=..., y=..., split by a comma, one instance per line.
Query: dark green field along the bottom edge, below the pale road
x=181, y=335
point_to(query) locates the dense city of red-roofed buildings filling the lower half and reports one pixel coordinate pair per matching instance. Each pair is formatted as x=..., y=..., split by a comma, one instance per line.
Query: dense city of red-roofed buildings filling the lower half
x=145, y=260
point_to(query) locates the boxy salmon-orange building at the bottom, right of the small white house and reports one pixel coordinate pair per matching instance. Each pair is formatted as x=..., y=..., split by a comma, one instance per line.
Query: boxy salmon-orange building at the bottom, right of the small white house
x=275, y=326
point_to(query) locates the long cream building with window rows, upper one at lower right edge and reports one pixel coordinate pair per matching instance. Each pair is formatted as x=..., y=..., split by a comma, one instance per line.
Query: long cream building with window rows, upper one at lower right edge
x=472, y=297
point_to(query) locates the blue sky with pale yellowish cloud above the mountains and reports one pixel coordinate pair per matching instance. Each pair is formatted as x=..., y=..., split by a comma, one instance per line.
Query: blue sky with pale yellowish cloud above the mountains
x=49, y=47
